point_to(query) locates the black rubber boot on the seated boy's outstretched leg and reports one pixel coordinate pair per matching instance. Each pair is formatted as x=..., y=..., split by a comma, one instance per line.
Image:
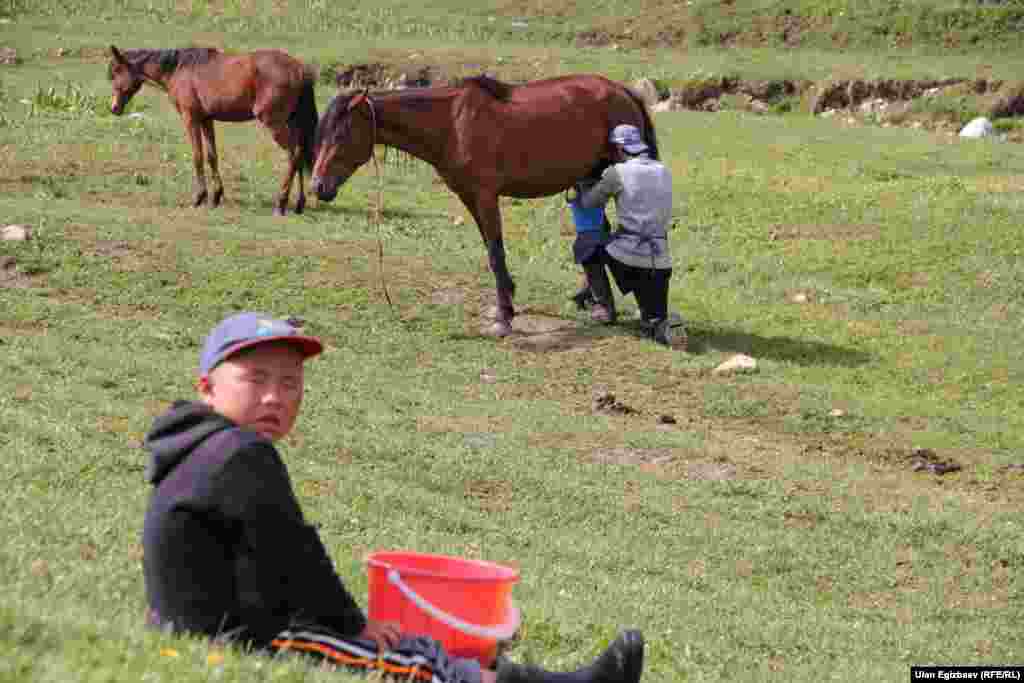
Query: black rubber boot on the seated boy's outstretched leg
x=622, y=663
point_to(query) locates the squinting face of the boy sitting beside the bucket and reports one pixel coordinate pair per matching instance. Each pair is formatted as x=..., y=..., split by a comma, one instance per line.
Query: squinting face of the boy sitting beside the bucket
x=260, y=389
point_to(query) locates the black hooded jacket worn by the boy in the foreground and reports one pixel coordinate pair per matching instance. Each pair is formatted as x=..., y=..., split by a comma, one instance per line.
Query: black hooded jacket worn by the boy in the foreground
x=227, y=548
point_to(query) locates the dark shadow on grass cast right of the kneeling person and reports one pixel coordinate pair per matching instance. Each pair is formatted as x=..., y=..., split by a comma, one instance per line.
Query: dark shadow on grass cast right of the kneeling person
x=778, y=349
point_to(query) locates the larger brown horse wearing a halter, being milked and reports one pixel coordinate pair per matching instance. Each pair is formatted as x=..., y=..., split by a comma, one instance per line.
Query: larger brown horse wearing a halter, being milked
x=486, y=139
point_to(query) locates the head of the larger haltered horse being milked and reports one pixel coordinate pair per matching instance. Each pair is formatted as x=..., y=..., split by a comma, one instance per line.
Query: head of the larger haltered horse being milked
x=346, y=138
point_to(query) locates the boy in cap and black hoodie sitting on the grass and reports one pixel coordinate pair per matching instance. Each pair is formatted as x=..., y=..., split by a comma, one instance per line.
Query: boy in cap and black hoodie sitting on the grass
x=228, y=552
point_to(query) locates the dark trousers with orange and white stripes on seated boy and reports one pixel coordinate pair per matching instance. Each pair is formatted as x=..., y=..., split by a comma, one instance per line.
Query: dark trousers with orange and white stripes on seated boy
x=415, y=659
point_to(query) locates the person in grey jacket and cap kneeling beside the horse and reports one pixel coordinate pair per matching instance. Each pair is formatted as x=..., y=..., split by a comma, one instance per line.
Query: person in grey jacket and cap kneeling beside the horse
x=638, y=253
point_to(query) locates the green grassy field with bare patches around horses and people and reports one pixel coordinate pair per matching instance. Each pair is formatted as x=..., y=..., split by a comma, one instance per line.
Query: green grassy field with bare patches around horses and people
x=777, y=532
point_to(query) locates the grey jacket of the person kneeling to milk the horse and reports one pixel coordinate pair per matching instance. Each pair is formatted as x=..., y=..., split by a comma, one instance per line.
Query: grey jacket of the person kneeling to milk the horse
x=643, y=189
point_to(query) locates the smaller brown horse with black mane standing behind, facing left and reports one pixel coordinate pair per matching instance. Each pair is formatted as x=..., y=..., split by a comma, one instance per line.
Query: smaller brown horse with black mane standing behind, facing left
x=207, y=86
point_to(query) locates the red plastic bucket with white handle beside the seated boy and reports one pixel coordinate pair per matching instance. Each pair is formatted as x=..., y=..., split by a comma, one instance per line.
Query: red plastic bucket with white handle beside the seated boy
x=464, y=605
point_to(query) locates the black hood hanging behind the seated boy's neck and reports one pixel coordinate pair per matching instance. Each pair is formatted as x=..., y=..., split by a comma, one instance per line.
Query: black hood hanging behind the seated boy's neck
x=177, y=433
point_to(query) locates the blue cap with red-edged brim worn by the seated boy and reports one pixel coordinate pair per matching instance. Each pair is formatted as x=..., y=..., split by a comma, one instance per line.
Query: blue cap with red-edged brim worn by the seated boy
x=245, y=330
